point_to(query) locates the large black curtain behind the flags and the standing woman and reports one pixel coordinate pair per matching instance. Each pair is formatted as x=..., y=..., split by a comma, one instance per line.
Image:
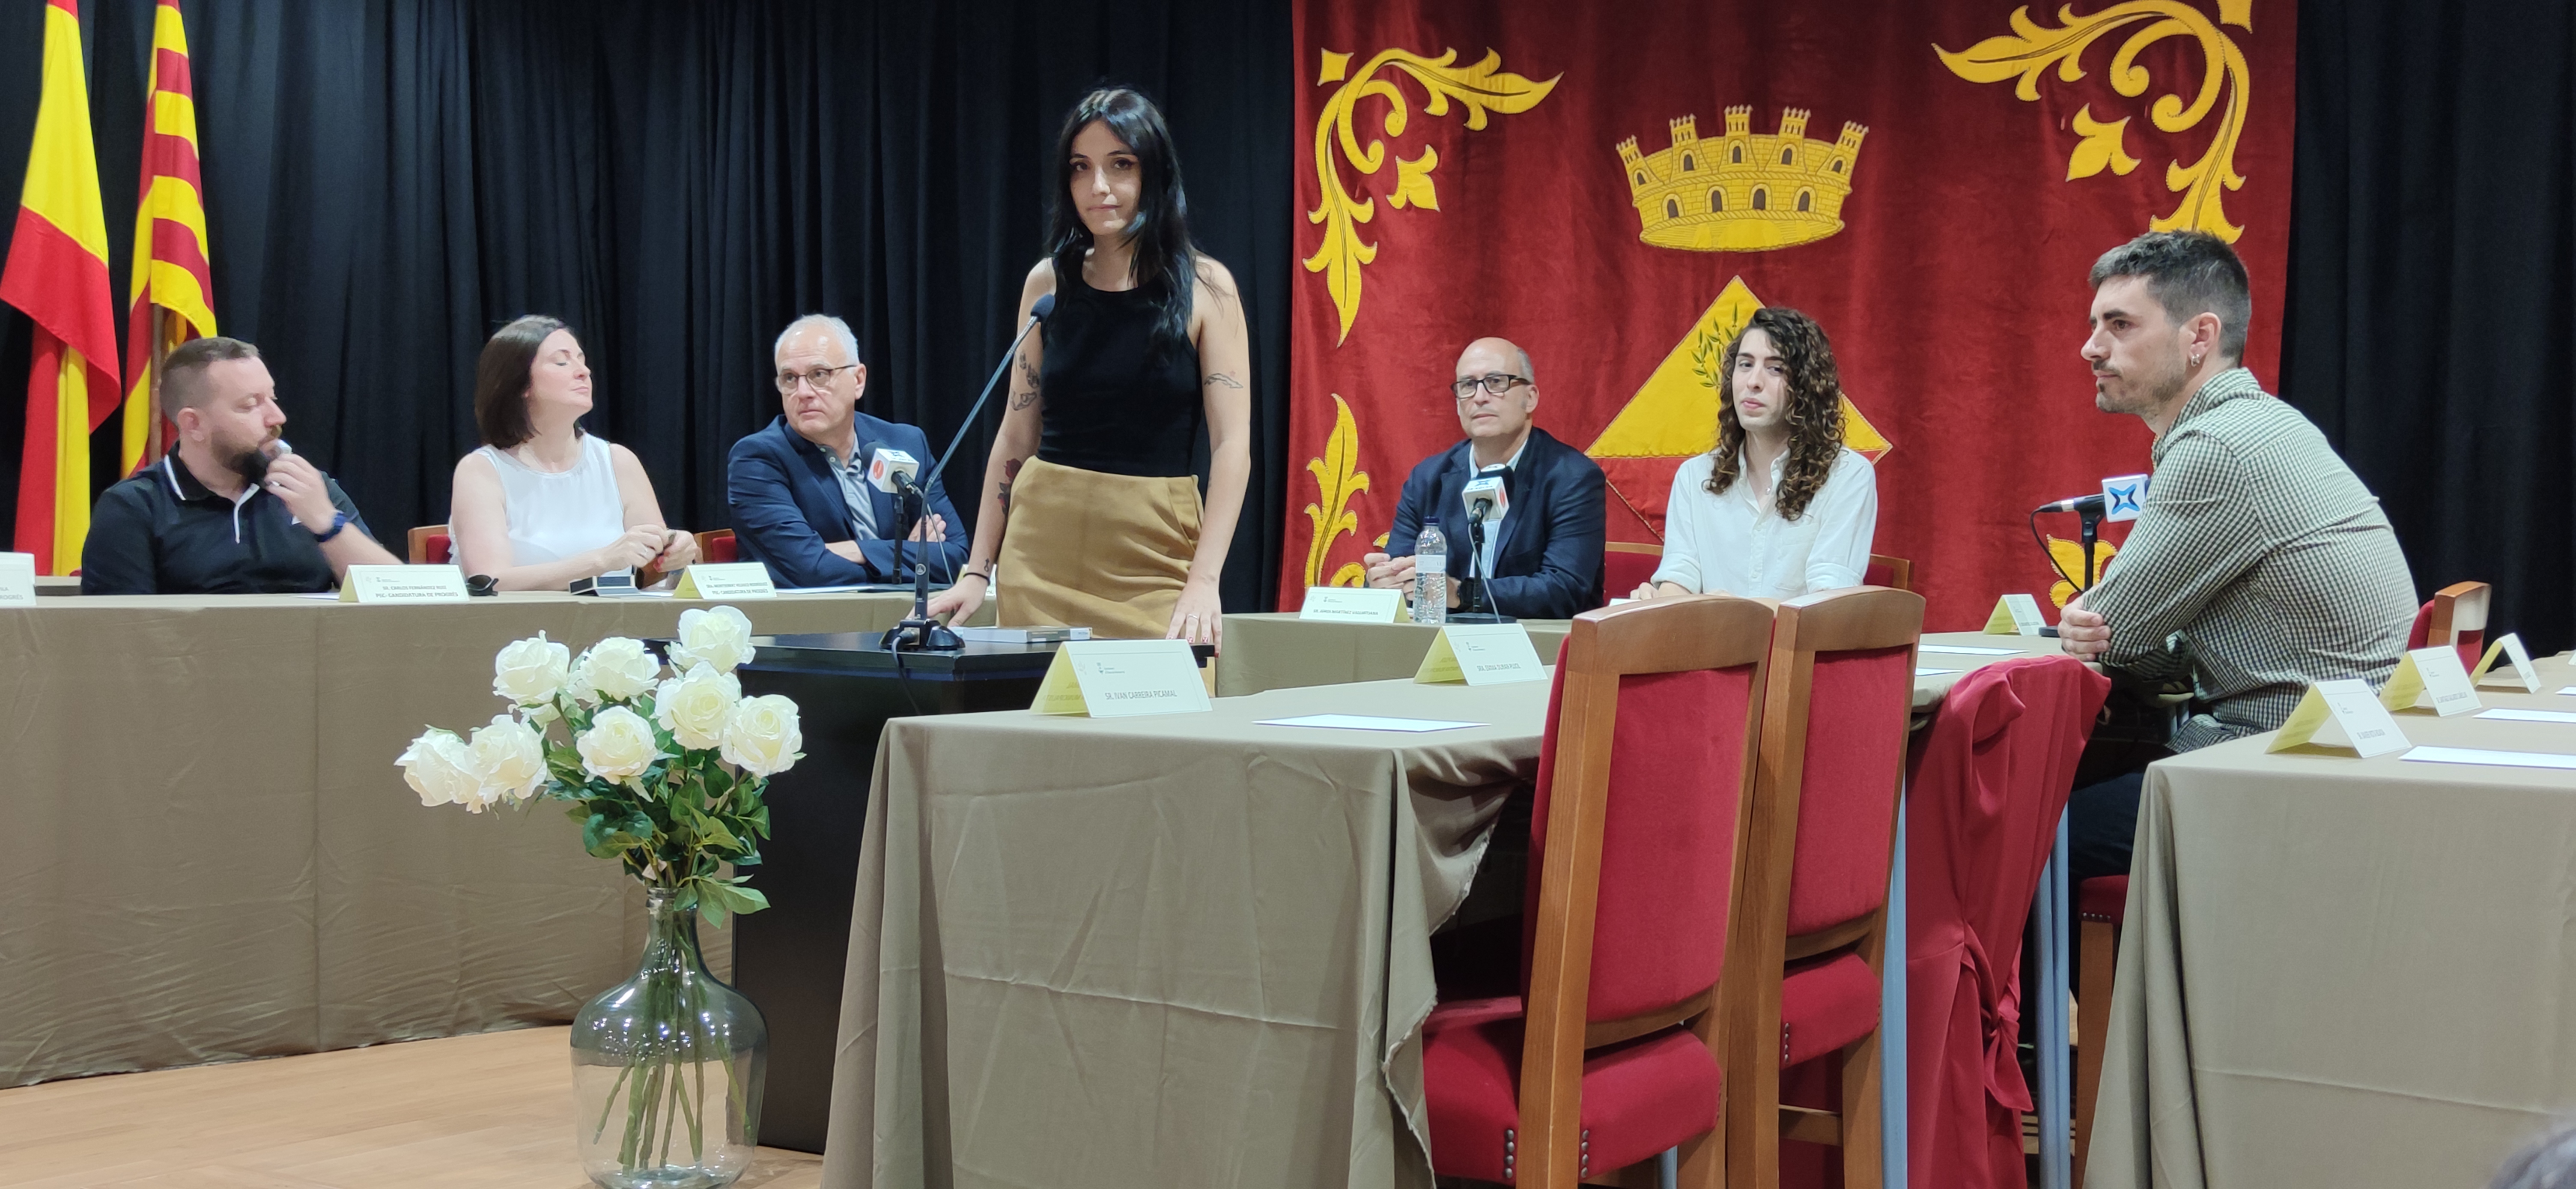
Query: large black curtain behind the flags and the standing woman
x=393, y=179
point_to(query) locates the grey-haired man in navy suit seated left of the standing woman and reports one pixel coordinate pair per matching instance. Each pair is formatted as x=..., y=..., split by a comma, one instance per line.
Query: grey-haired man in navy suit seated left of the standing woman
x=800, y=489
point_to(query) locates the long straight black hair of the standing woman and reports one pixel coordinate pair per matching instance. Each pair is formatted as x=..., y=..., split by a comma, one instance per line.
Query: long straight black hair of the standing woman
x=1160, y=226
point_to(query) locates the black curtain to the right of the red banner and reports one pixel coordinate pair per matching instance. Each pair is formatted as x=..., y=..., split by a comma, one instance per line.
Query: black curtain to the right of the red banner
x=2433, y=285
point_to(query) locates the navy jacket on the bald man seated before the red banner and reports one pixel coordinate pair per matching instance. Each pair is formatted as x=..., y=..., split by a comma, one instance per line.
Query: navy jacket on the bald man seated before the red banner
x=1549, y=561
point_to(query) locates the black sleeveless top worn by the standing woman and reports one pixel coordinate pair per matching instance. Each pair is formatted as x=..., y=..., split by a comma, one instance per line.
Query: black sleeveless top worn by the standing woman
x=1117, y=398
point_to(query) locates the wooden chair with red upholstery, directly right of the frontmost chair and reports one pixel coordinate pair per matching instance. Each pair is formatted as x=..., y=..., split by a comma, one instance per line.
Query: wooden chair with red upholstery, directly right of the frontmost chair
x=1804, y=963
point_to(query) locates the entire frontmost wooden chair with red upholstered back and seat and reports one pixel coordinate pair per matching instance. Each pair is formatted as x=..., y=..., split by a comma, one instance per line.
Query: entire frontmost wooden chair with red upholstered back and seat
x=1637, y=832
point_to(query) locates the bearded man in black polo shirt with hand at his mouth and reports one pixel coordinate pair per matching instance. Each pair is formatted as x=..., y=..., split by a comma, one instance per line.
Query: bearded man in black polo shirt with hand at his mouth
x=225, y=512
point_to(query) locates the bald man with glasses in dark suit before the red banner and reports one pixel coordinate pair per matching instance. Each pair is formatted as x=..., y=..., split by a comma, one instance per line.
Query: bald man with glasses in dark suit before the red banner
x=1547, y=551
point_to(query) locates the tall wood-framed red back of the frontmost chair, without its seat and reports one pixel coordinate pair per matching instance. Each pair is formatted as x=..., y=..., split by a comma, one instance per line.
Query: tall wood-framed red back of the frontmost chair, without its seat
x=1642, y=816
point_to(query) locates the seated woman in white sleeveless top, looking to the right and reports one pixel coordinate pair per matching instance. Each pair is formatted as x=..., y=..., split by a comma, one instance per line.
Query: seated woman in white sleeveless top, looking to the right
x=542, y=502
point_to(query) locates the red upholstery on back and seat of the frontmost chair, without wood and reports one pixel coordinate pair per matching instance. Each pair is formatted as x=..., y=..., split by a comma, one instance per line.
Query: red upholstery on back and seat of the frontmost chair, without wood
x=1658, y=938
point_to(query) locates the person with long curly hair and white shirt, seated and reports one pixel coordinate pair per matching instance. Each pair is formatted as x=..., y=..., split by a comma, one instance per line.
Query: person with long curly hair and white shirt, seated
x=1781, y=507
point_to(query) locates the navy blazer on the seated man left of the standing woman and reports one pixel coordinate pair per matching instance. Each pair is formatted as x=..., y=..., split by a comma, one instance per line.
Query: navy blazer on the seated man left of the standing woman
x=790, y=507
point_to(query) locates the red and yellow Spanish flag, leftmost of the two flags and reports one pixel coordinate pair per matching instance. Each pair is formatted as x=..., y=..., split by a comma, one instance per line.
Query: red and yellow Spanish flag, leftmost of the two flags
x=58, y=275
